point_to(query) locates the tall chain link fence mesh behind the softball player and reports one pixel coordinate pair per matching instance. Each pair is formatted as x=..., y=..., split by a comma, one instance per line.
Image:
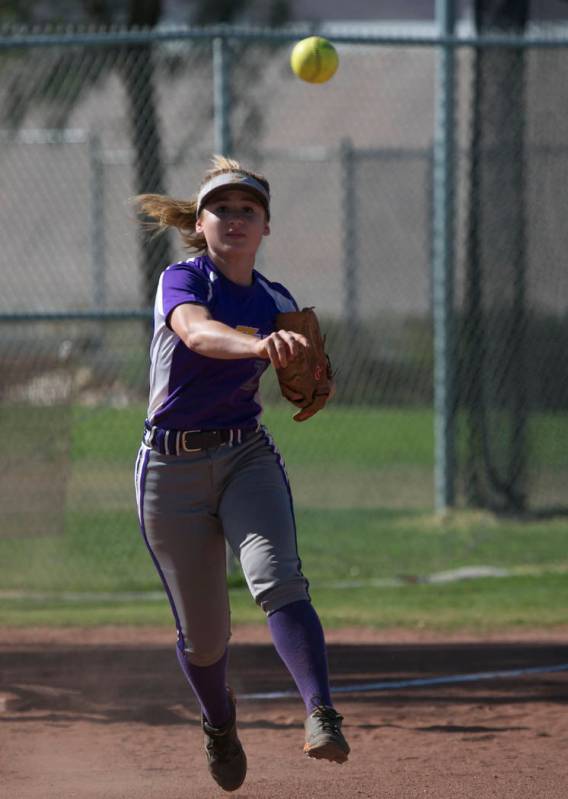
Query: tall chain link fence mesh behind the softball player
x=88, y=124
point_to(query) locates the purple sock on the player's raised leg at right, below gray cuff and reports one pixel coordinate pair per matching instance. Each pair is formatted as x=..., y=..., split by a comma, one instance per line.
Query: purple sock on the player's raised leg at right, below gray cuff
x=298, y=637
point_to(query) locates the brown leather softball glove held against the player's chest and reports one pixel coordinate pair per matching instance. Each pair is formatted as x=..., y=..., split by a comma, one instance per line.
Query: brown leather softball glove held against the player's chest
x=307, y=381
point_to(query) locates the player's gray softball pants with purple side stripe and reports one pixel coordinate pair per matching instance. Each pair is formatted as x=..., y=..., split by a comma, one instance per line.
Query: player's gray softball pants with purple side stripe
x=189, y=505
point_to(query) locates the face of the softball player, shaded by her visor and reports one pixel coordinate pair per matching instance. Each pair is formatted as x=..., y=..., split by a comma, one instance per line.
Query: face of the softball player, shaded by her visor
x=233, y=222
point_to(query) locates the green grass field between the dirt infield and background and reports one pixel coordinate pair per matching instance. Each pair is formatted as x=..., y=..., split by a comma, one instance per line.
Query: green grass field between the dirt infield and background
x=369, y=539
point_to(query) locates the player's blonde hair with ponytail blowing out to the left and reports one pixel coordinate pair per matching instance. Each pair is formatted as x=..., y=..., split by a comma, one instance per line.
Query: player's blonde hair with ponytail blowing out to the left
x=163, y=212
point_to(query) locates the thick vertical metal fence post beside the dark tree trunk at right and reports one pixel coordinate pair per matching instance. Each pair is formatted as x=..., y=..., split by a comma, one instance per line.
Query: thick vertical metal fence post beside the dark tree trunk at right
x=443, y=264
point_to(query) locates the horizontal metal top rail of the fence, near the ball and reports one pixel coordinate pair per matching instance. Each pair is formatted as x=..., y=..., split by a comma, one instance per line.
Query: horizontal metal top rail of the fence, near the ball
x=19, y=38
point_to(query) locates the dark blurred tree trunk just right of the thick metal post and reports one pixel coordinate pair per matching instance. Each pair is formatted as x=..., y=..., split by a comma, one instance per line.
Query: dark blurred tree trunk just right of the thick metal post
x=493, y=375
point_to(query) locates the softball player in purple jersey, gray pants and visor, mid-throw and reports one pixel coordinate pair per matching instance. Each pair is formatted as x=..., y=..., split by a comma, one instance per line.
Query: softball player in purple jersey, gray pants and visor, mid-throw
x=207, y=470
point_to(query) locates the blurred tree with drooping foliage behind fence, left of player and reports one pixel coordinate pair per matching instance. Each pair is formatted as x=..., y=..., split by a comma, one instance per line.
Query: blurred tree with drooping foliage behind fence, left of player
x=64, y=75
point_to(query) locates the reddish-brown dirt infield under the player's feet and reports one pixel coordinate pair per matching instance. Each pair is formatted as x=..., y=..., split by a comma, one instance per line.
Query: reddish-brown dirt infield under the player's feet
x=107, y=714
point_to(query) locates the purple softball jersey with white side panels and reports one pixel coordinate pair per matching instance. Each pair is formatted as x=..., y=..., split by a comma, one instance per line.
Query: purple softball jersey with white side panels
x=189, y=391
